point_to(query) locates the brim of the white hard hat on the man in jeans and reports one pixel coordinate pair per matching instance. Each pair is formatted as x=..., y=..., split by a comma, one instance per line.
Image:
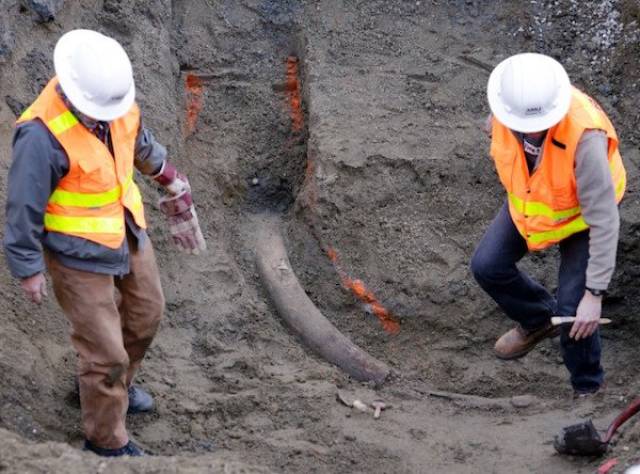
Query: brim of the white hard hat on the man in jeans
x=528, y=124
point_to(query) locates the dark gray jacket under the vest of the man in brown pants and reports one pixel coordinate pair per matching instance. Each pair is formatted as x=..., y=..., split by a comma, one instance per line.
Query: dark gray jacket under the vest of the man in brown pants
x=39, y=162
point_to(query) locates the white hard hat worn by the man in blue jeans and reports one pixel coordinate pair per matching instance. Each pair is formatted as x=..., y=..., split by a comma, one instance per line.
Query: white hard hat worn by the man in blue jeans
x=529, y=92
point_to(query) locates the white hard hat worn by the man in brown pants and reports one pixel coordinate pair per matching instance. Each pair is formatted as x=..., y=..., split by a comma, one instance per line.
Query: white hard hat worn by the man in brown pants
x=95, y=74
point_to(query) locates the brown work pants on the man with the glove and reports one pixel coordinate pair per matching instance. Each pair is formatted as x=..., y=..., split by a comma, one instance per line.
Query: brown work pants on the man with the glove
x=111, y=335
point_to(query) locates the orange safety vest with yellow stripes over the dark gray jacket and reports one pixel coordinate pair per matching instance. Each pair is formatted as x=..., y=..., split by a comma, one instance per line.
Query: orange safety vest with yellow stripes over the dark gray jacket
x=91, y=198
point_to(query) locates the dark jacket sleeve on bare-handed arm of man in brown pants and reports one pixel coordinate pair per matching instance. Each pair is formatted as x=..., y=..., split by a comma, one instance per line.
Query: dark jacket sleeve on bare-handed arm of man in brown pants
x=38, y=164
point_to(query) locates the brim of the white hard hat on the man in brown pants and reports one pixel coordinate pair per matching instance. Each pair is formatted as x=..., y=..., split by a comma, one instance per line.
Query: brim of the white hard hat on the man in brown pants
x=62, y=64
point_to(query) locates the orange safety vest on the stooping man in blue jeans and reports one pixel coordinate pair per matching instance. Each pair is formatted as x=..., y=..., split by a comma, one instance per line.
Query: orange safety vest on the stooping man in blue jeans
x=544, y=206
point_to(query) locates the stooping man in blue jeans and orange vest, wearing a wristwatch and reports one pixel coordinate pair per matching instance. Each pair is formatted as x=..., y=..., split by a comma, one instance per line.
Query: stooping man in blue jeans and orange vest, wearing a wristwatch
x=556, y=153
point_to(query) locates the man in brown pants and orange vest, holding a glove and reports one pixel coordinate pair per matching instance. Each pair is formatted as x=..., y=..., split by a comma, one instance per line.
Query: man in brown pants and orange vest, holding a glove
x=73, y=207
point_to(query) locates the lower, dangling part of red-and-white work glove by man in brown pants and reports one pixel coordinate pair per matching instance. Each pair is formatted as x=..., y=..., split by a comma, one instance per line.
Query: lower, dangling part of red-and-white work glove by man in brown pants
x=183, y=222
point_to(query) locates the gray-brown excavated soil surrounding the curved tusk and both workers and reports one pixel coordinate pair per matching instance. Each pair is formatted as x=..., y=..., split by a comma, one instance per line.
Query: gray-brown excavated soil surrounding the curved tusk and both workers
x=384, y=166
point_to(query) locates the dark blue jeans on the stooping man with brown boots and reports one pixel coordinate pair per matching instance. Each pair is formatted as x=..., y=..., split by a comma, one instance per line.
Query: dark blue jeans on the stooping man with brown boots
x=528, y=303
